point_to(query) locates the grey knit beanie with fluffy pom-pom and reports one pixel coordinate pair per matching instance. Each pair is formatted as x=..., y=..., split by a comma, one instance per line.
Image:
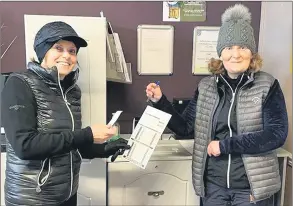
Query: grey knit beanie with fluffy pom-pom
x=236, y=29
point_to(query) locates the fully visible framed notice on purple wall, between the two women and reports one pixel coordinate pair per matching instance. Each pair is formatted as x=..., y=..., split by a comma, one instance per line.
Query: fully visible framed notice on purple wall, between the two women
x=155, y=49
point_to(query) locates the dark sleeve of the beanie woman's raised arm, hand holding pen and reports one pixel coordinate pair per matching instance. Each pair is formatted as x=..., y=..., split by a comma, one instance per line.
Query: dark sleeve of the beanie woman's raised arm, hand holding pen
x=180, y=124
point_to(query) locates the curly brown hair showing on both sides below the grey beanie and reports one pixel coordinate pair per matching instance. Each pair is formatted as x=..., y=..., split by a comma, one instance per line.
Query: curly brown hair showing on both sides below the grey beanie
x=216, y=65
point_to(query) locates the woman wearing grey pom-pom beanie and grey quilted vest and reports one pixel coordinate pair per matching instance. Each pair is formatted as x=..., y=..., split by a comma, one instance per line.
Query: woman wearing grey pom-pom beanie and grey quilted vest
x=238, y=117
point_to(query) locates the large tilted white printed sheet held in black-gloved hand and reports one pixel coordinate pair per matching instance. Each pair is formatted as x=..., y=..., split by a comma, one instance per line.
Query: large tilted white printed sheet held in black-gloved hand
x=146, y=135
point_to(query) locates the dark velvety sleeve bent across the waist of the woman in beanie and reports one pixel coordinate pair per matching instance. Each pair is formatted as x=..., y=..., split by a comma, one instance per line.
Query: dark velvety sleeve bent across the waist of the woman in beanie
x=274, y=132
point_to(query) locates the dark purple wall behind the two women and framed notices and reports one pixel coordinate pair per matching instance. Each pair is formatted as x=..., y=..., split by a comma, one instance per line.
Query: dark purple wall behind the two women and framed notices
x=124, y=17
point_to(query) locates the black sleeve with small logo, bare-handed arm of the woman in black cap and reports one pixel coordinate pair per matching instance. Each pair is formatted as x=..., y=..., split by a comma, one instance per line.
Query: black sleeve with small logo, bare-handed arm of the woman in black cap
x=20, y=125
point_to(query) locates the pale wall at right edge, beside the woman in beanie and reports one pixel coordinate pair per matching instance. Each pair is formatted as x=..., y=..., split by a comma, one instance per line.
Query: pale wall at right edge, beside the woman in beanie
x=275, y=44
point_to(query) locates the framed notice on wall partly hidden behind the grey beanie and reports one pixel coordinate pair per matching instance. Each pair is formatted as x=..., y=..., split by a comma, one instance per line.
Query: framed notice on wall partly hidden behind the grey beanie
x=204, y=48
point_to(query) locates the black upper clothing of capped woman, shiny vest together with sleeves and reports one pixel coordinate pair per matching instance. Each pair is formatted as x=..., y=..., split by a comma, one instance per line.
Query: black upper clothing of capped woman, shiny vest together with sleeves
x=42, y=122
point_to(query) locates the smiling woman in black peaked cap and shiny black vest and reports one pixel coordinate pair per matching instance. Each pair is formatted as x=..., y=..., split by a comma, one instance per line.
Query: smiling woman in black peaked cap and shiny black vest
x=41, y=109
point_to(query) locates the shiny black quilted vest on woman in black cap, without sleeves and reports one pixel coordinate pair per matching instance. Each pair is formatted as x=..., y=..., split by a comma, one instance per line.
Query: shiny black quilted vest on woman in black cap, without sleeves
x=55, y=179
